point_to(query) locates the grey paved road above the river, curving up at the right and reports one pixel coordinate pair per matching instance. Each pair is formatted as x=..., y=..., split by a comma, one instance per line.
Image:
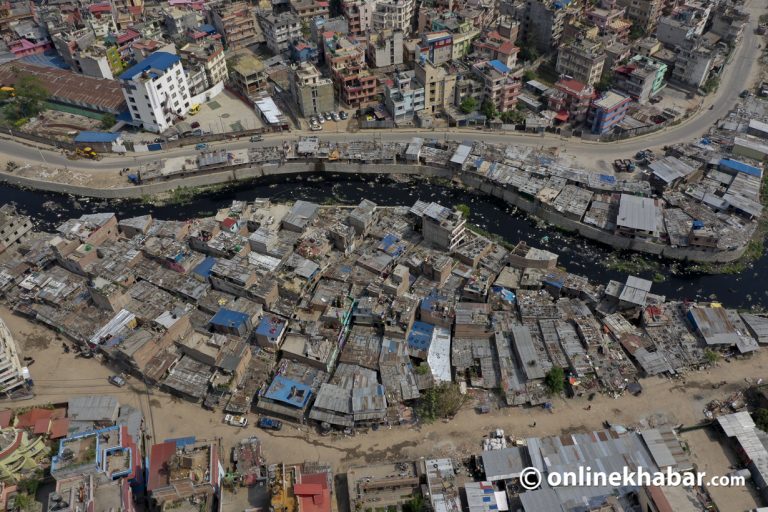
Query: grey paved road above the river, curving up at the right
x=735, y=78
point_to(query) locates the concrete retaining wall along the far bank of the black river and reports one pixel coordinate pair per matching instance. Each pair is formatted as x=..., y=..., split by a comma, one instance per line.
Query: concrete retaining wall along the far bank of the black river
x=469, y=179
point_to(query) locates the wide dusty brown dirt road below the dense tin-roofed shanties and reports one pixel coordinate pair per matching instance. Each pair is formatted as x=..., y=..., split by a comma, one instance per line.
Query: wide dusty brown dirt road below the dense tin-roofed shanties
x=59, y=376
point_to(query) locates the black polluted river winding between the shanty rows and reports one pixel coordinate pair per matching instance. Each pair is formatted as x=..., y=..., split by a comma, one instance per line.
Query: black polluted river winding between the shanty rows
x=746, y=290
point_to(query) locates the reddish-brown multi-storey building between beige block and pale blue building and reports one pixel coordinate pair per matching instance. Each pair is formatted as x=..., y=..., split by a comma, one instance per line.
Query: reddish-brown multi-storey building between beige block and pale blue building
x=353, y=82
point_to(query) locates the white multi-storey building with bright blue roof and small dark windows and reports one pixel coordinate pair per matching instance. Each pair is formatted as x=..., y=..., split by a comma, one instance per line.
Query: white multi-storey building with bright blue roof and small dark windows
x=156, y=91
